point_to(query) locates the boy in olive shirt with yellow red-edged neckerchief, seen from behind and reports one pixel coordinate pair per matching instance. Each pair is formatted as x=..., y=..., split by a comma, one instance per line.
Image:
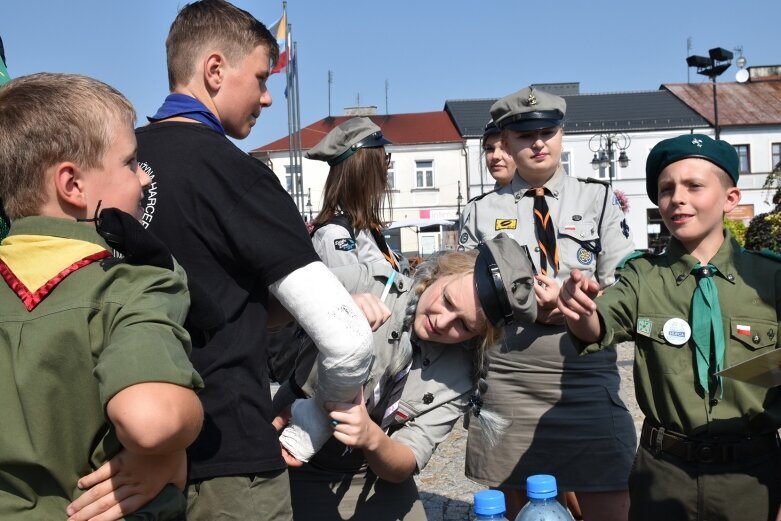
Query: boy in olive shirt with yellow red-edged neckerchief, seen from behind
x=93, y=355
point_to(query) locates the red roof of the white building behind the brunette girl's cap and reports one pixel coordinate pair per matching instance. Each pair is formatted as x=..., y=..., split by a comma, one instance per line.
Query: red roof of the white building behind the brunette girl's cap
x=400, y=129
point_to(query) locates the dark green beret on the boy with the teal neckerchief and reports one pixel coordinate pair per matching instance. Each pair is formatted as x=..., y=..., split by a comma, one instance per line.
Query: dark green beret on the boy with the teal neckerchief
x=666, y=152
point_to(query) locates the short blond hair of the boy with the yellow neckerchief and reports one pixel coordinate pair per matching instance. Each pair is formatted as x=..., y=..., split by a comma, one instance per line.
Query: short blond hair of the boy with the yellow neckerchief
x=49, y=118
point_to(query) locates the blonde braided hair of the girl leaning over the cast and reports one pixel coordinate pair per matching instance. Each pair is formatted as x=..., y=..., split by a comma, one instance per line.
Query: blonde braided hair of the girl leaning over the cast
x=492, y=424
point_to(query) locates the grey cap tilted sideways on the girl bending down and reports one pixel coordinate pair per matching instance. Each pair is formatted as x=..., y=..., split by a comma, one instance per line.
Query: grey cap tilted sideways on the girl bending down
x=504, y=279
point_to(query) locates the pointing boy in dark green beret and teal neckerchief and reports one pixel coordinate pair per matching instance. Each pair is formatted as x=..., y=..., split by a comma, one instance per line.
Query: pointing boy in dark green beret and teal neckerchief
x=709, y=445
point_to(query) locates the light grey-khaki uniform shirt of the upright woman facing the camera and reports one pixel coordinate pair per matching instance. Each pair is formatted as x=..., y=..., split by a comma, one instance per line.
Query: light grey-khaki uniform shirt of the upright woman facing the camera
x=575, y=206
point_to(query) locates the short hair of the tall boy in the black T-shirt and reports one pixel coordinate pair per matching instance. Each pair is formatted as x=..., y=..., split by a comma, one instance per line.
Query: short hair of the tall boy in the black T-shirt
x=217, y=25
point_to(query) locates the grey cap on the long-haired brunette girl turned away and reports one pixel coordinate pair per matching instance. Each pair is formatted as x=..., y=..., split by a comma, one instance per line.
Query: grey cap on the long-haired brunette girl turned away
x=345, y=139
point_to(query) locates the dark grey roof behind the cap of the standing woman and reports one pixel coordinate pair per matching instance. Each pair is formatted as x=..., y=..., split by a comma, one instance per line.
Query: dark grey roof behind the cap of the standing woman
x=587, y=113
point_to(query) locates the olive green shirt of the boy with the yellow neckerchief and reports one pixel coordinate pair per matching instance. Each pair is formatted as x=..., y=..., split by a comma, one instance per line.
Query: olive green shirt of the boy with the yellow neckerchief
x=104, y=327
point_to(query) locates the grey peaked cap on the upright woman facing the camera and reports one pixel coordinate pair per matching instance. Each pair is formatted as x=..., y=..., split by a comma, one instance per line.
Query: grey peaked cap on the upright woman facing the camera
x=529, y=109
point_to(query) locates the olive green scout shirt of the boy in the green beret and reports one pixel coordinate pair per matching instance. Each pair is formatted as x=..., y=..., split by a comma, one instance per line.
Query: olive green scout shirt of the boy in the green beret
x=654, y=289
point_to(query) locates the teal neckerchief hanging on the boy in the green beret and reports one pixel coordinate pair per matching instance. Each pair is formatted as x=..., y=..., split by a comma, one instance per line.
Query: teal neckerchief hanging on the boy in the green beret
x=707, y=327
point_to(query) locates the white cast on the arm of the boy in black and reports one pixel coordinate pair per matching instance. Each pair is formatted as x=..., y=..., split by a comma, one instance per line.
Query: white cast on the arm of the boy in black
x=325, y=310
